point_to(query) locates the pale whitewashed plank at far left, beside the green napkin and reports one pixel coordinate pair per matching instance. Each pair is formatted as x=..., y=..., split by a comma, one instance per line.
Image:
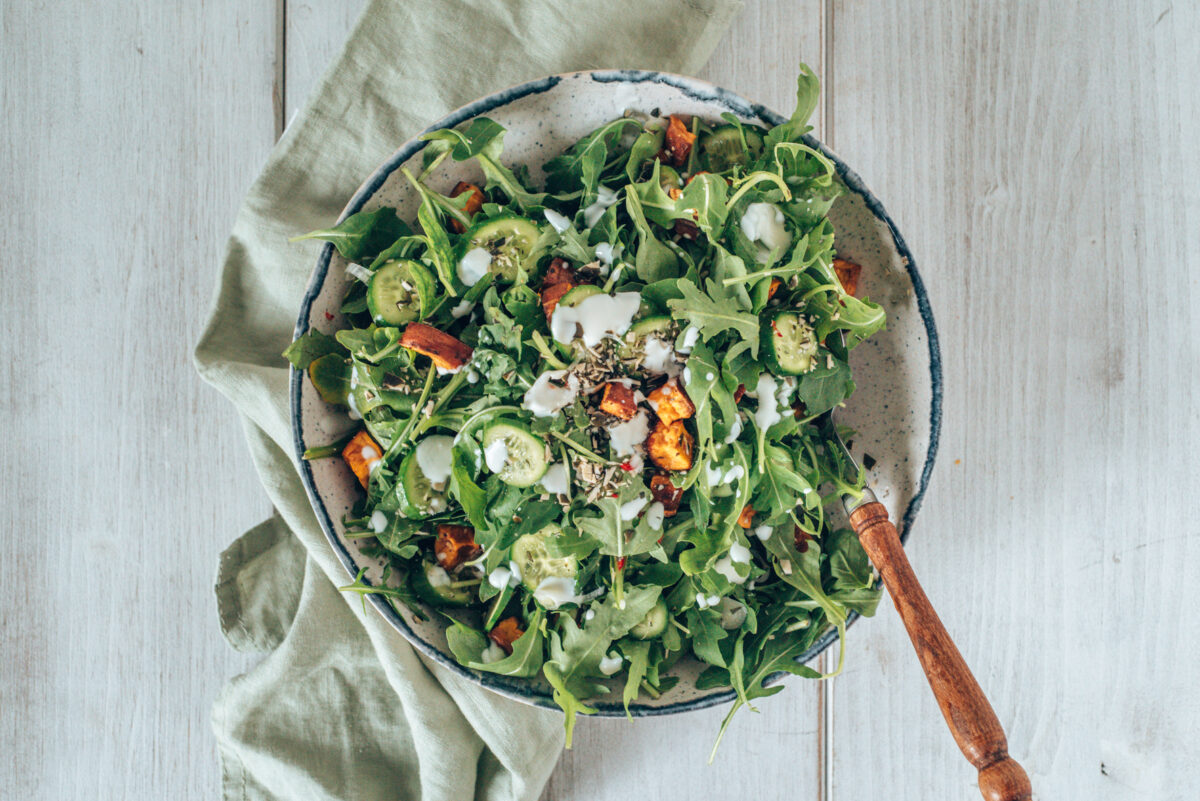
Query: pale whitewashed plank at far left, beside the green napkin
x=130, y=134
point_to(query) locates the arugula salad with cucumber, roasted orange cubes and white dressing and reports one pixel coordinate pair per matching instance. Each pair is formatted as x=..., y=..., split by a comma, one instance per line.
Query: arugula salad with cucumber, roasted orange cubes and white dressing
x=592, y=413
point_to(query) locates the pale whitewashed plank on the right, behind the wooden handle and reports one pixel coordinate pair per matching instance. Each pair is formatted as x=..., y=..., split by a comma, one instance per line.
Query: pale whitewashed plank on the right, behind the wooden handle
x=1040, y=159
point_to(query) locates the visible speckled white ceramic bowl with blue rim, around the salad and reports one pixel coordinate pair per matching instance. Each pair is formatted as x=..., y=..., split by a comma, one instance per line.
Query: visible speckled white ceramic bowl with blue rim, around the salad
x=897, y=409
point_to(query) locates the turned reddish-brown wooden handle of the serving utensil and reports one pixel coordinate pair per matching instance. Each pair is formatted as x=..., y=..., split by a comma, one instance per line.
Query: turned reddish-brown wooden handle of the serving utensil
x=967, y=710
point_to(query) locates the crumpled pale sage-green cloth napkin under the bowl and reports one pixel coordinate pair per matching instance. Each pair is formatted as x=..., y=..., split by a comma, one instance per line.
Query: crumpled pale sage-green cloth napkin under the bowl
x=343, y=707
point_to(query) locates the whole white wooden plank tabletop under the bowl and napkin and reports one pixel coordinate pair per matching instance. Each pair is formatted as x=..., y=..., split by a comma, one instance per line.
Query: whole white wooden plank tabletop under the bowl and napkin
x=1043, y=164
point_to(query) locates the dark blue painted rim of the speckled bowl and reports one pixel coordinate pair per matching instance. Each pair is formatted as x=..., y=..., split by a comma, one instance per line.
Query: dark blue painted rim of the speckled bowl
x=524, y=690
